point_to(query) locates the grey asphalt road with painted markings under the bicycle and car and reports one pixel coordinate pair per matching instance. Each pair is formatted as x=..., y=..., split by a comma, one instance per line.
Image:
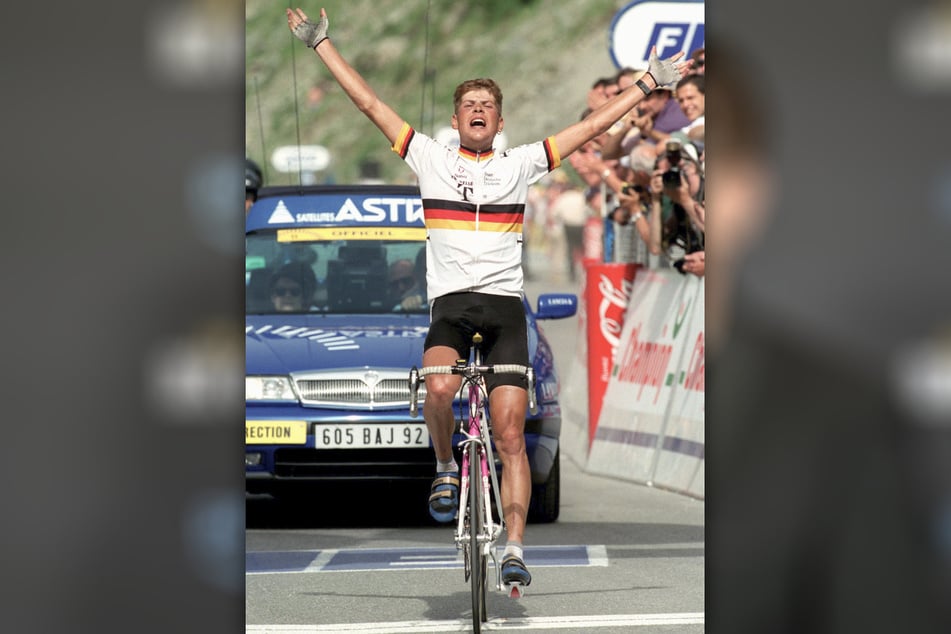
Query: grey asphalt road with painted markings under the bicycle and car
x=622, y=557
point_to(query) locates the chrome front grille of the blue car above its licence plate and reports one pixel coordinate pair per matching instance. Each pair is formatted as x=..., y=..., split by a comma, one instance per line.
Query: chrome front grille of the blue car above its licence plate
x=356, y=389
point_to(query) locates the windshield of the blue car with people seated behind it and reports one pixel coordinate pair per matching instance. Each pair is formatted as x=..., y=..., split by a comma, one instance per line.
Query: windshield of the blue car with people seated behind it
x=301, y=271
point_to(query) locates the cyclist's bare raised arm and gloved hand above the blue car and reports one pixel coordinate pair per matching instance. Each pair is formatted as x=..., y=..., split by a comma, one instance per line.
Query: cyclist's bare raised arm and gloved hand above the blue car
x=314, y=35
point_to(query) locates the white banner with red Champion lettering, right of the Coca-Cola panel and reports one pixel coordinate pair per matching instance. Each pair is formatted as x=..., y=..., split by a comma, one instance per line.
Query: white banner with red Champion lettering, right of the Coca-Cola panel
x=650, y=428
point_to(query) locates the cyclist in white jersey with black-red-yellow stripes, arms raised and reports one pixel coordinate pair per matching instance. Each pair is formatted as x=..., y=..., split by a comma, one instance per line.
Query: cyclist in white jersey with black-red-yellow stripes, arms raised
x=473, y=203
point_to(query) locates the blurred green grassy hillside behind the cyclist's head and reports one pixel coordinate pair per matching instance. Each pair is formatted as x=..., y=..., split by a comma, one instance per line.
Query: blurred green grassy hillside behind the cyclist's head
x=544, y=54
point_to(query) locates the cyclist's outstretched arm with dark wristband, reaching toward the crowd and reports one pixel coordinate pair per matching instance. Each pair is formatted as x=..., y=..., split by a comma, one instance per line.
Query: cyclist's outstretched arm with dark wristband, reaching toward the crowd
x=659, y=73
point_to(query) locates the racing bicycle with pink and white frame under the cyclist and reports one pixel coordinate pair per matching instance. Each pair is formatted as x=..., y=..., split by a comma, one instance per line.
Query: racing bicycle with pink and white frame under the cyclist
x=476, y=528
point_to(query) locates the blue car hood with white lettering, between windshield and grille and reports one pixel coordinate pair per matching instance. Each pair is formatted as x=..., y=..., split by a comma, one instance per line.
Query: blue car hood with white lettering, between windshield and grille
x=280, y=344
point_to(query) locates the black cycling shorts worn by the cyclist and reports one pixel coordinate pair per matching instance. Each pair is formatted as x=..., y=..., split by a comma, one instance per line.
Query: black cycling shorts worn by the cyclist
x=501, y=320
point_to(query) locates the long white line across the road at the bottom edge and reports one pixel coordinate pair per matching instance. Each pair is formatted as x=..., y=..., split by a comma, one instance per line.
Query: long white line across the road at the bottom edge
x=499, y=624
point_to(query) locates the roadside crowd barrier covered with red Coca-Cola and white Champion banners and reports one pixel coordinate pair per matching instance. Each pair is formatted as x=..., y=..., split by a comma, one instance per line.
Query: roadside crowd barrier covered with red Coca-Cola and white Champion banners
x=632, y=405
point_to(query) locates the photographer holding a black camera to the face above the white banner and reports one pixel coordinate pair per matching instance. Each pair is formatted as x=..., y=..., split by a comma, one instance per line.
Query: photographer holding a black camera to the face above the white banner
x=677, y=213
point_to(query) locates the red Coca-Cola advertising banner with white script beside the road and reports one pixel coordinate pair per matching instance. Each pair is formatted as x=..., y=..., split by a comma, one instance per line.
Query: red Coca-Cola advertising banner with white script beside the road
x=606, y=296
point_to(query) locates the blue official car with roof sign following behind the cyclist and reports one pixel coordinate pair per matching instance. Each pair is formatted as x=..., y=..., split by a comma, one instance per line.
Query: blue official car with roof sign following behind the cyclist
x=336, y=315
